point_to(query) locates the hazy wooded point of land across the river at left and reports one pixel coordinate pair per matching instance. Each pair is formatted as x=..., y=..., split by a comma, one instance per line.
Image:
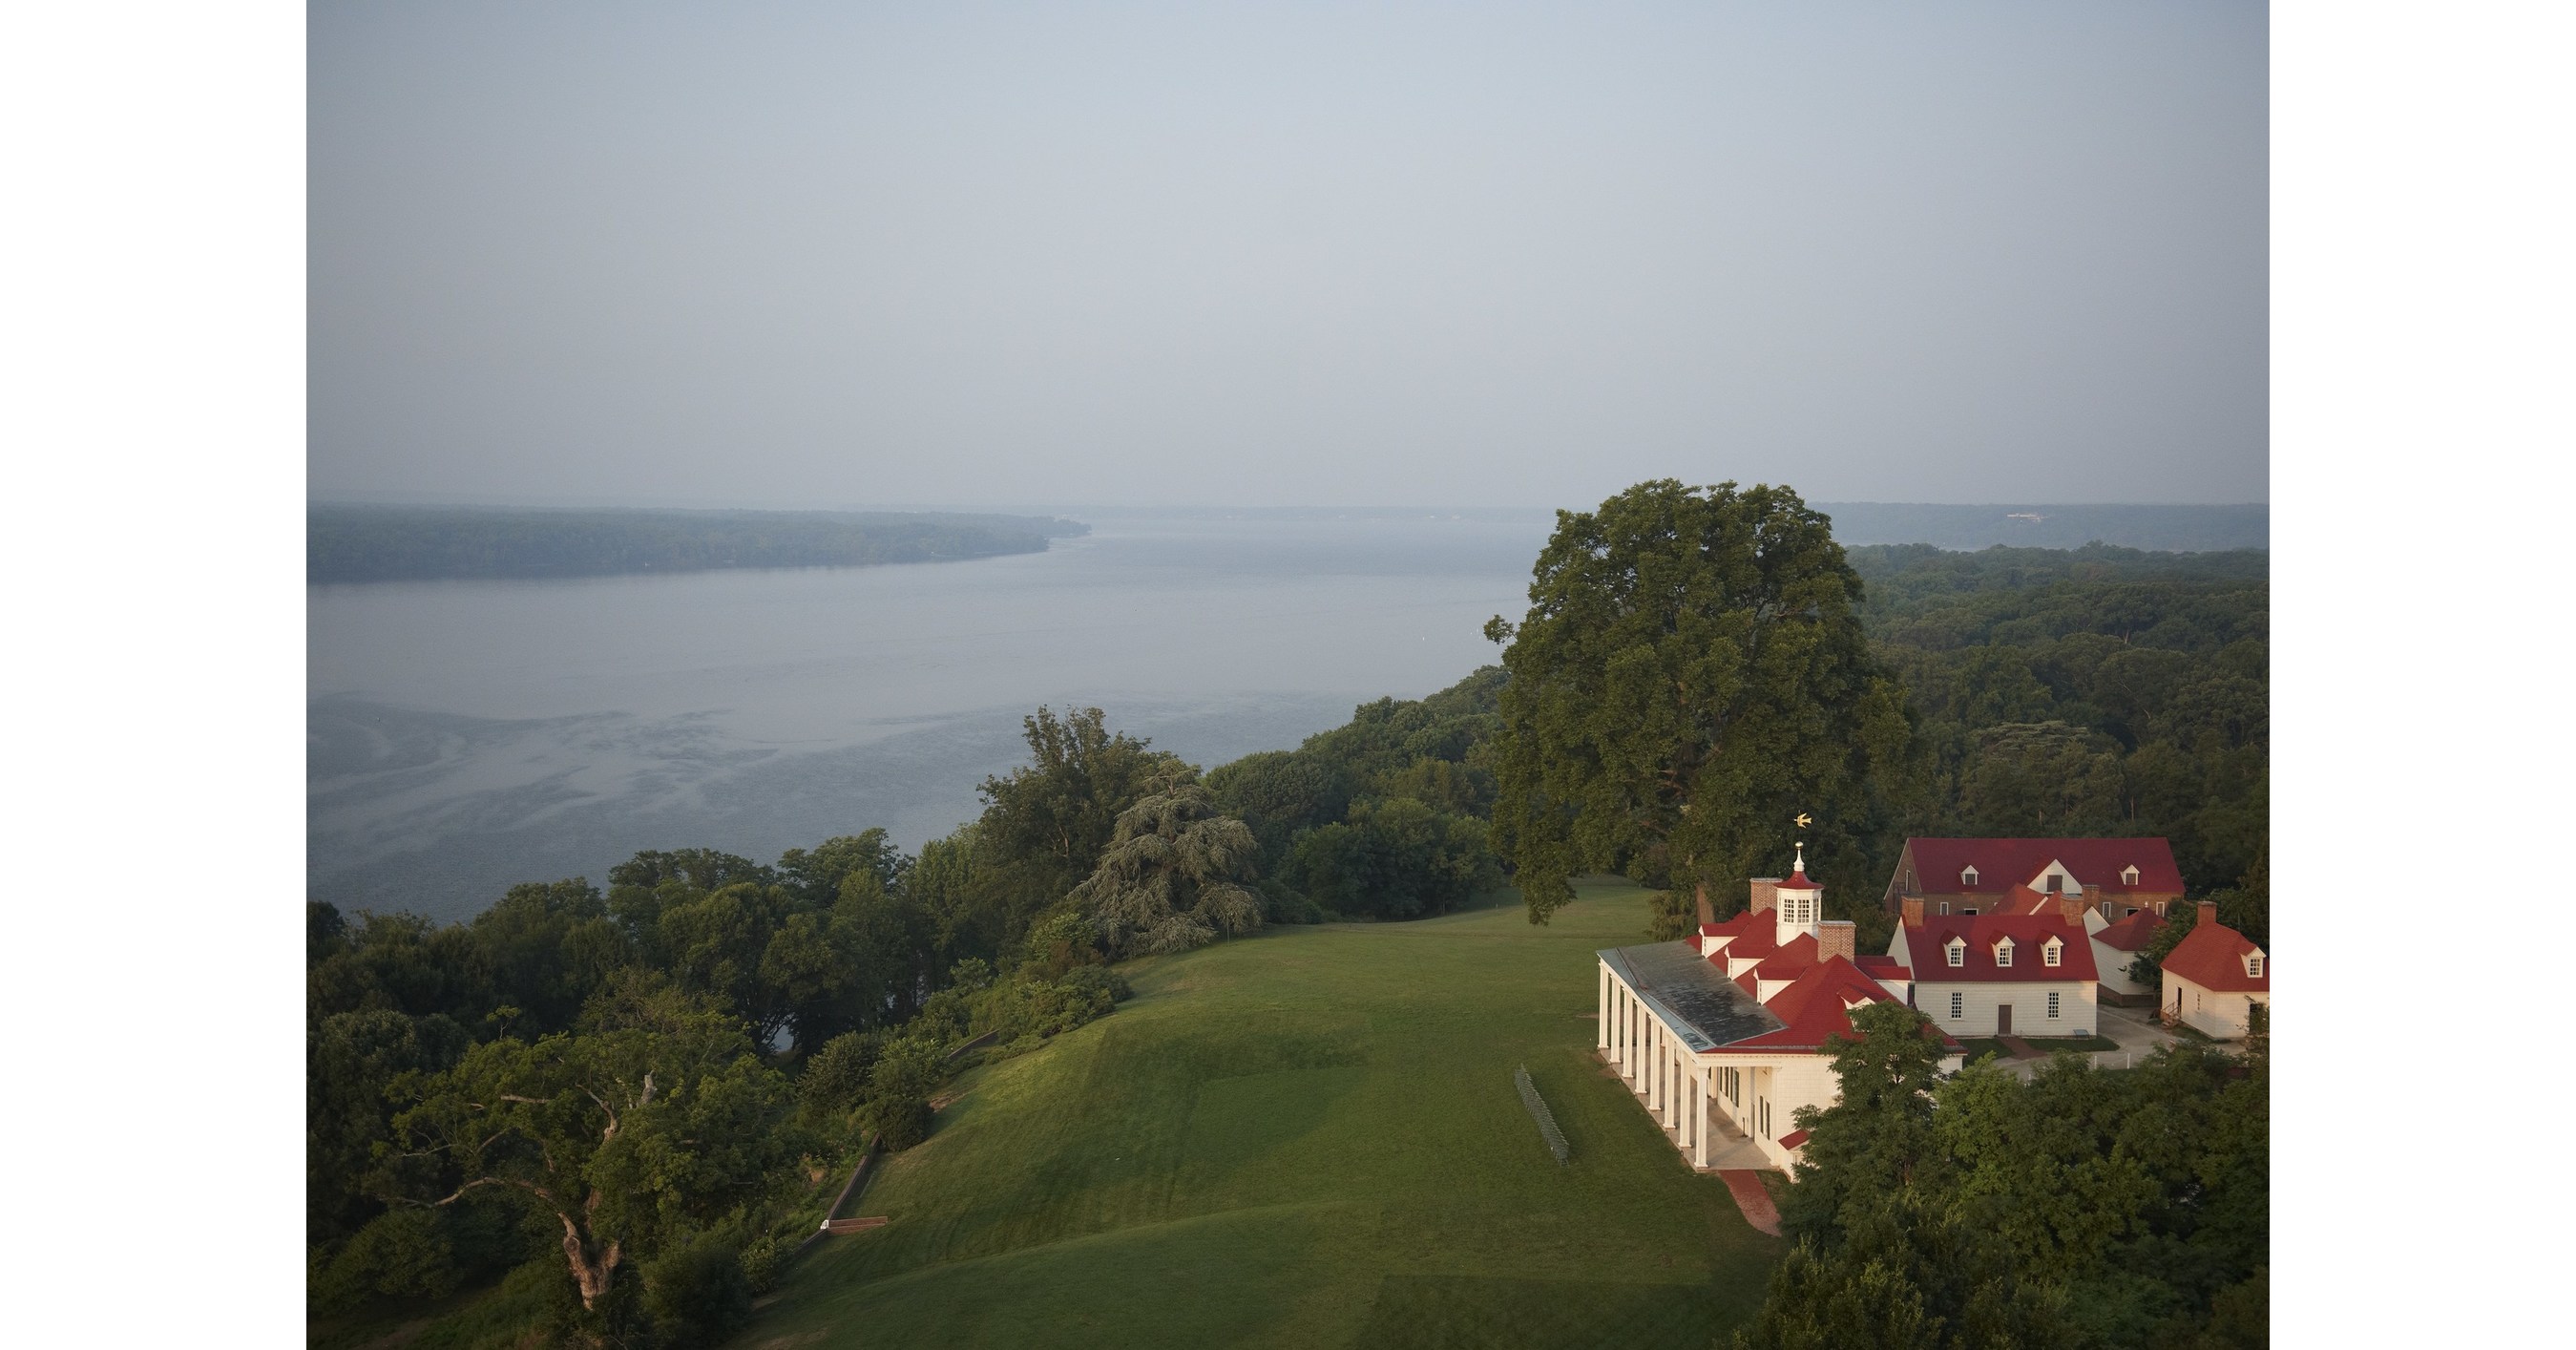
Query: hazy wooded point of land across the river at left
x=411, y=545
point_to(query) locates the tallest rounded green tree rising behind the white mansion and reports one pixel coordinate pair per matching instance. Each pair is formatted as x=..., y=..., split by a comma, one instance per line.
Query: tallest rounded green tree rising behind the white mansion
x=1689, y=679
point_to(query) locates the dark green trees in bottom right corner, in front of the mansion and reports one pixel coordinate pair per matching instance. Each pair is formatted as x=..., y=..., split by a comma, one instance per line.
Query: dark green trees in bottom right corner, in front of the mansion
x=2080, y=1210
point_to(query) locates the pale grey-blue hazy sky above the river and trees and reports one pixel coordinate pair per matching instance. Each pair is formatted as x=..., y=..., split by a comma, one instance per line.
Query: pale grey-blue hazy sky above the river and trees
x=1287, y=256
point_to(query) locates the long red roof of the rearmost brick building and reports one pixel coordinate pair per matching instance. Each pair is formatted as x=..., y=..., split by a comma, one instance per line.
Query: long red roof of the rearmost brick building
x=1980, y=877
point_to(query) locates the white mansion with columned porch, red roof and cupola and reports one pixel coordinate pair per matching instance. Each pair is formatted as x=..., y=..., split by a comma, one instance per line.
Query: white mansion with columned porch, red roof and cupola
x=1730, y=1032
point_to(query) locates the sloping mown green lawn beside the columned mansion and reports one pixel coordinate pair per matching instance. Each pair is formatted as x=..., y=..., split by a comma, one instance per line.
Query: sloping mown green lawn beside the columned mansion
x=1307, y=1137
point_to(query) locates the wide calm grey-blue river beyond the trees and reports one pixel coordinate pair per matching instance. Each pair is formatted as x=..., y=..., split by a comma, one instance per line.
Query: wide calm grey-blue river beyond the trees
x=470, y=736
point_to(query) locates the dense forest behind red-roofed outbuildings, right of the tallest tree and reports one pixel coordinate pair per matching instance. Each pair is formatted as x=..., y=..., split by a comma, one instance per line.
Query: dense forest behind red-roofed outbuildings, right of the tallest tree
x=2093, y=692
